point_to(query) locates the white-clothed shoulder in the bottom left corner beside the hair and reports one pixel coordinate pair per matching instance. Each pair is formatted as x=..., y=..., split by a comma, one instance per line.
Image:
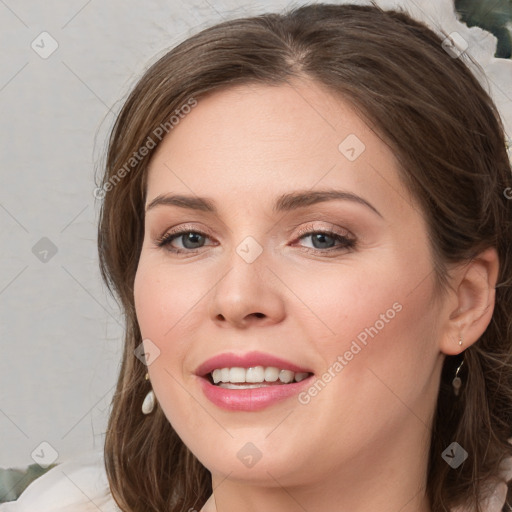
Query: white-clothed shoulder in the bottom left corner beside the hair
x=77, y=485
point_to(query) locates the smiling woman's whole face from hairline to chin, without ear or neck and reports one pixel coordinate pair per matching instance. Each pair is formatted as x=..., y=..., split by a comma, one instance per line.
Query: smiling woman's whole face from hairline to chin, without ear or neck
x=251, y=272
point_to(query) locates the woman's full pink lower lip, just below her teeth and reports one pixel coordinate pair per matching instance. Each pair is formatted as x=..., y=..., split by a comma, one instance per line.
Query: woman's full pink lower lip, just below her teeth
x=251, y=399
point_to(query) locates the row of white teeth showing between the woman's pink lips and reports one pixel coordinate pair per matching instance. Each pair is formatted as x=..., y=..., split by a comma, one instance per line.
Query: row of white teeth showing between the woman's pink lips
x=254, y=375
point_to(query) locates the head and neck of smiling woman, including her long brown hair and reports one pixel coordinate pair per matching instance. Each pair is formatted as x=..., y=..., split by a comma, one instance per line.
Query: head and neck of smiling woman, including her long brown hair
x=305, y=217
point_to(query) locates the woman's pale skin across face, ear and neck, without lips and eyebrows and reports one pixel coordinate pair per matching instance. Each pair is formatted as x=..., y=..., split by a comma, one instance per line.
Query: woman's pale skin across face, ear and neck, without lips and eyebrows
x=361, y=444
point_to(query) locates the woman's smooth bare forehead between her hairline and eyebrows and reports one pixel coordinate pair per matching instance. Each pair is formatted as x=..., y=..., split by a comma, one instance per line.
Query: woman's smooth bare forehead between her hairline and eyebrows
x=254, y=140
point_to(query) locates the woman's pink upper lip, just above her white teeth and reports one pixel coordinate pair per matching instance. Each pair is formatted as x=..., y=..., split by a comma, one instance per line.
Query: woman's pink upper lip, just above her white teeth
x=247, y=360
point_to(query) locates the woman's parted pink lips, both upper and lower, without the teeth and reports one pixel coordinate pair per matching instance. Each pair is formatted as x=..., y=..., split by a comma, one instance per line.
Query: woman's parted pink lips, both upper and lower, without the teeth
x=249, y=399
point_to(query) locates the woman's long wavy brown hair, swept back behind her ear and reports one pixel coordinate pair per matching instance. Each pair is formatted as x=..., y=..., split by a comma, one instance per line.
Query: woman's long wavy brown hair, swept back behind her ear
x=449, y=139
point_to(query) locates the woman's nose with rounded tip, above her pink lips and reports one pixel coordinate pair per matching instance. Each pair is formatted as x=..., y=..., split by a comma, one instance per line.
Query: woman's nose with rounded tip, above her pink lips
x=247, y=293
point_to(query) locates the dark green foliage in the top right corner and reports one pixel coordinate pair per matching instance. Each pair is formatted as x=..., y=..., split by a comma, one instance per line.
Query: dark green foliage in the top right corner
x=493, y=16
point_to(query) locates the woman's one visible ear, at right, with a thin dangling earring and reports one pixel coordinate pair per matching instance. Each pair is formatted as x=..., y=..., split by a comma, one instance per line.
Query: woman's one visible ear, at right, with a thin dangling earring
x=470, y=304
